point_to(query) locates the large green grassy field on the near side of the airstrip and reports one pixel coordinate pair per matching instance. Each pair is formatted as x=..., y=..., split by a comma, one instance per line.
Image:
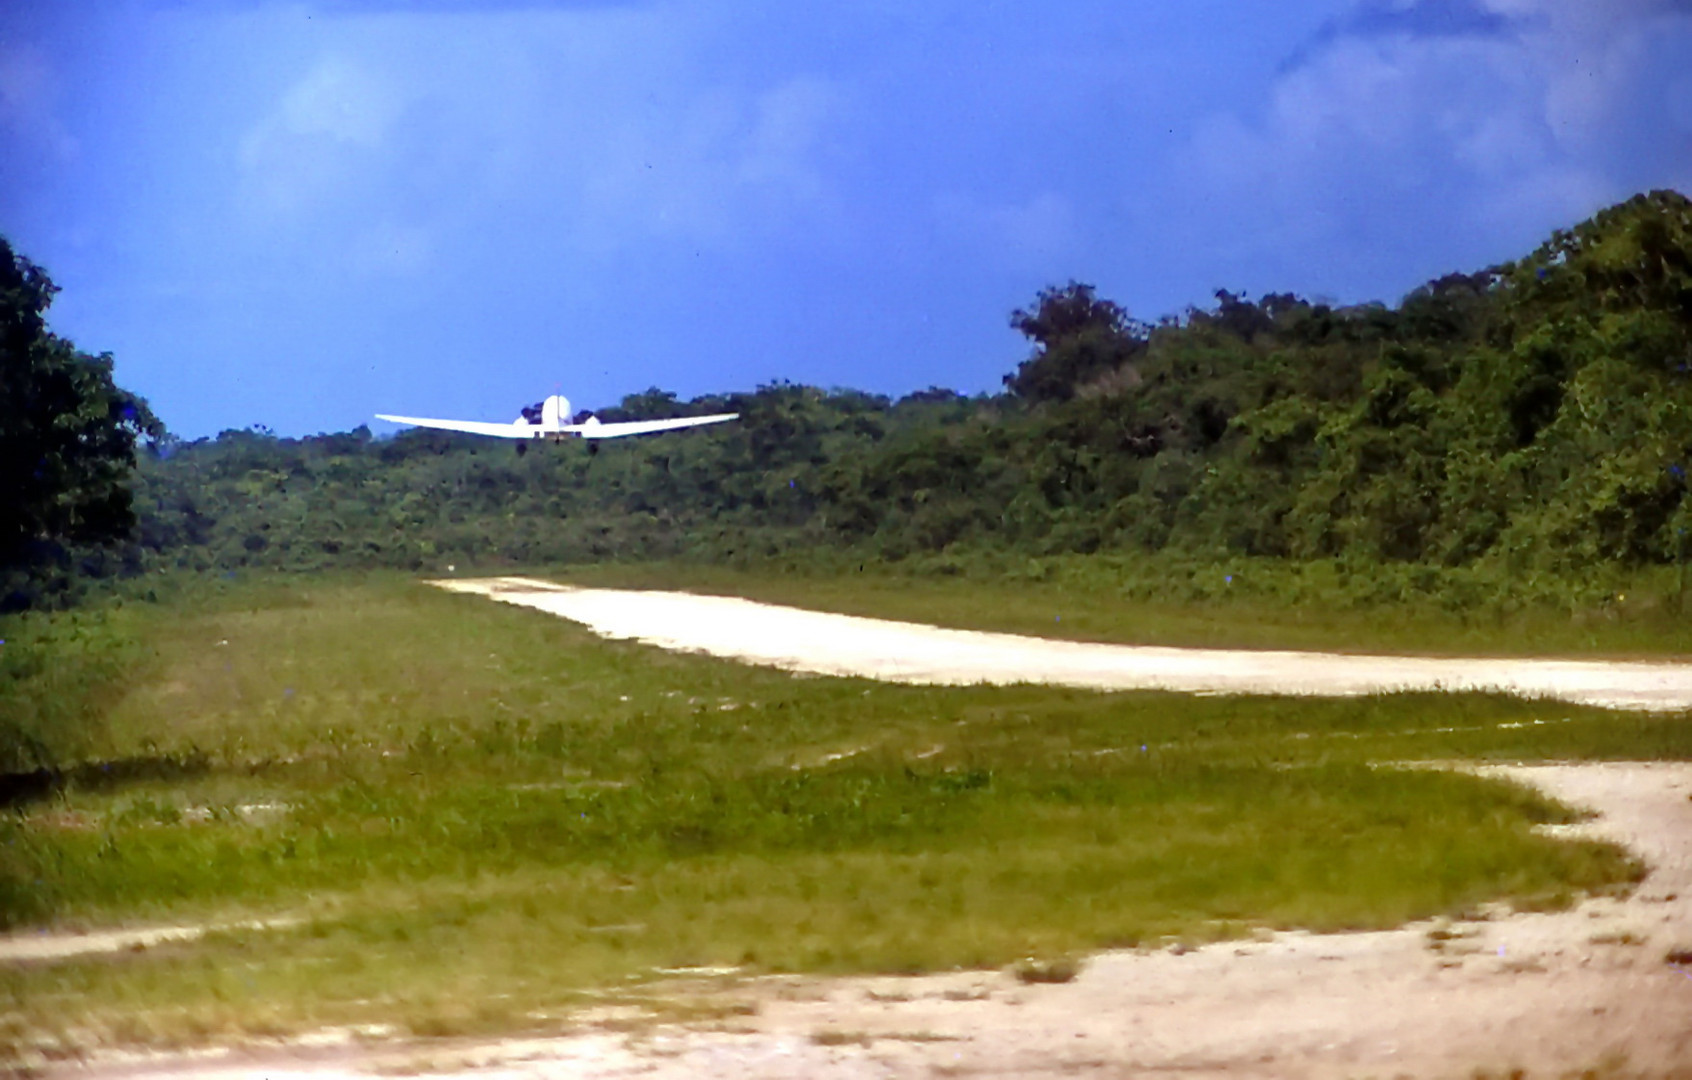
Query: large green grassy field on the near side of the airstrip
x=486, y=815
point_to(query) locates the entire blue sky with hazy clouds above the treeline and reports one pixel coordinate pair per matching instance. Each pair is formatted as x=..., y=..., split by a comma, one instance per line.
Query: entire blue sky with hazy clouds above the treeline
x=304, y=214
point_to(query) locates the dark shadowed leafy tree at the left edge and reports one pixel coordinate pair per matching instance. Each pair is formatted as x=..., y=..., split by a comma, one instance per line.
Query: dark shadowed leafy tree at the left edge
x=67, y=436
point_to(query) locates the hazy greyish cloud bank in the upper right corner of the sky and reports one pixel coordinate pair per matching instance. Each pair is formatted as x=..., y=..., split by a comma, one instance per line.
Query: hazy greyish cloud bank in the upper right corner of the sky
x=1522, y=118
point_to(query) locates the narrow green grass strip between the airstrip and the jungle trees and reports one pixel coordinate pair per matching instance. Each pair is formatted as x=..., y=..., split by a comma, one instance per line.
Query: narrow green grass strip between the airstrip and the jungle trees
x=1244, y=603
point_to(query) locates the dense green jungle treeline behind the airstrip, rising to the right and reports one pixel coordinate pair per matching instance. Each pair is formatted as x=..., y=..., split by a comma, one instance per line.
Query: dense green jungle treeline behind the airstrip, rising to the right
x=1534, y=416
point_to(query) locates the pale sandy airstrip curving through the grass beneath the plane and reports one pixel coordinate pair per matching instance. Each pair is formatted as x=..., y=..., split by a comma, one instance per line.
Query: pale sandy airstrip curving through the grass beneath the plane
x=909, y=653
